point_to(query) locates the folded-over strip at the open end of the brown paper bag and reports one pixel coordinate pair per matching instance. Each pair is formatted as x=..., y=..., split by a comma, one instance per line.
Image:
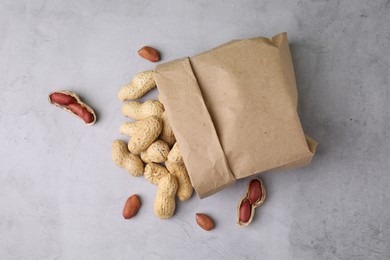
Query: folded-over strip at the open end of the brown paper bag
x=198, y=140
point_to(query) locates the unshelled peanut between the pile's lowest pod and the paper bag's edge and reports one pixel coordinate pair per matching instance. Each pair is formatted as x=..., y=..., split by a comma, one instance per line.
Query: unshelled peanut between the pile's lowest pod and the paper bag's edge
x=179, y=170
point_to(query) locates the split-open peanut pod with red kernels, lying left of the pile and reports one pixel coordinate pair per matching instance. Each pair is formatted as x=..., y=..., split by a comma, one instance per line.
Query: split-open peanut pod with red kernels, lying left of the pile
x=71, y=102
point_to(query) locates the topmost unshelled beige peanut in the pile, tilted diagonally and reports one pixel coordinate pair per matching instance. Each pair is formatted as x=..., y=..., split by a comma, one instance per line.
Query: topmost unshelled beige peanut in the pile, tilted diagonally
x=141, y=83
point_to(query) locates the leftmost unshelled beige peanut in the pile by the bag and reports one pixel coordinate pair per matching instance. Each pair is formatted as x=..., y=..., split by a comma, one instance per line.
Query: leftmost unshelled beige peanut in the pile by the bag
x=128, y=161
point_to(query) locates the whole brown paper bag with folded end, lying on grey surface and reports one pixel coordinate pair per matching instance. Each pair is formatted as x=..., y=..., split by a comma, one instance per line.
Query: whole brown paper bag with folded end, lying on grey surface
x=233, y=110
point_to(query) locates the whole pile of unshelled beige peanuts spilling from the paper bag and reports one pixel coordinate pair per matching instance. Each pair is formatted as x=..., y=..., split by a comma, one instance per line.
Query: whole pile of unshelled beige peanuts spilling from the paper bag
x=152, y=150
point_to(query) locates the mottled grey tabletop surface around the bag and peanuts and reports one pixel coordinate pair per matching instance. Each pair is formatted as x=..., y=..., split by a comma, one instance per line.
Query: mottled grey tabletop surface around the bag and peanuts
x=61, y=197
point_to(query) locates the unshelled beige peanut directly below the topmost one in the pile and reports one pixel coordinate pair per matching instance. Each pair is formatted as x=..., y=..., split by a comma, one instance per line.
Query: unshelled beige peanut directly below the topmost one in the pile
x=138, y=110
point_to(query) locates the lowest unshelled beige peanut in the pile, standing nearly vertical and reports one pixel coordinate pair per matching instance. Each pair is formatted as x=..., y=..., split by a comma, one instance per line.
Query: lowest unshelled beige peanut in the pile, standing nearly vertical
x=164, y=204
